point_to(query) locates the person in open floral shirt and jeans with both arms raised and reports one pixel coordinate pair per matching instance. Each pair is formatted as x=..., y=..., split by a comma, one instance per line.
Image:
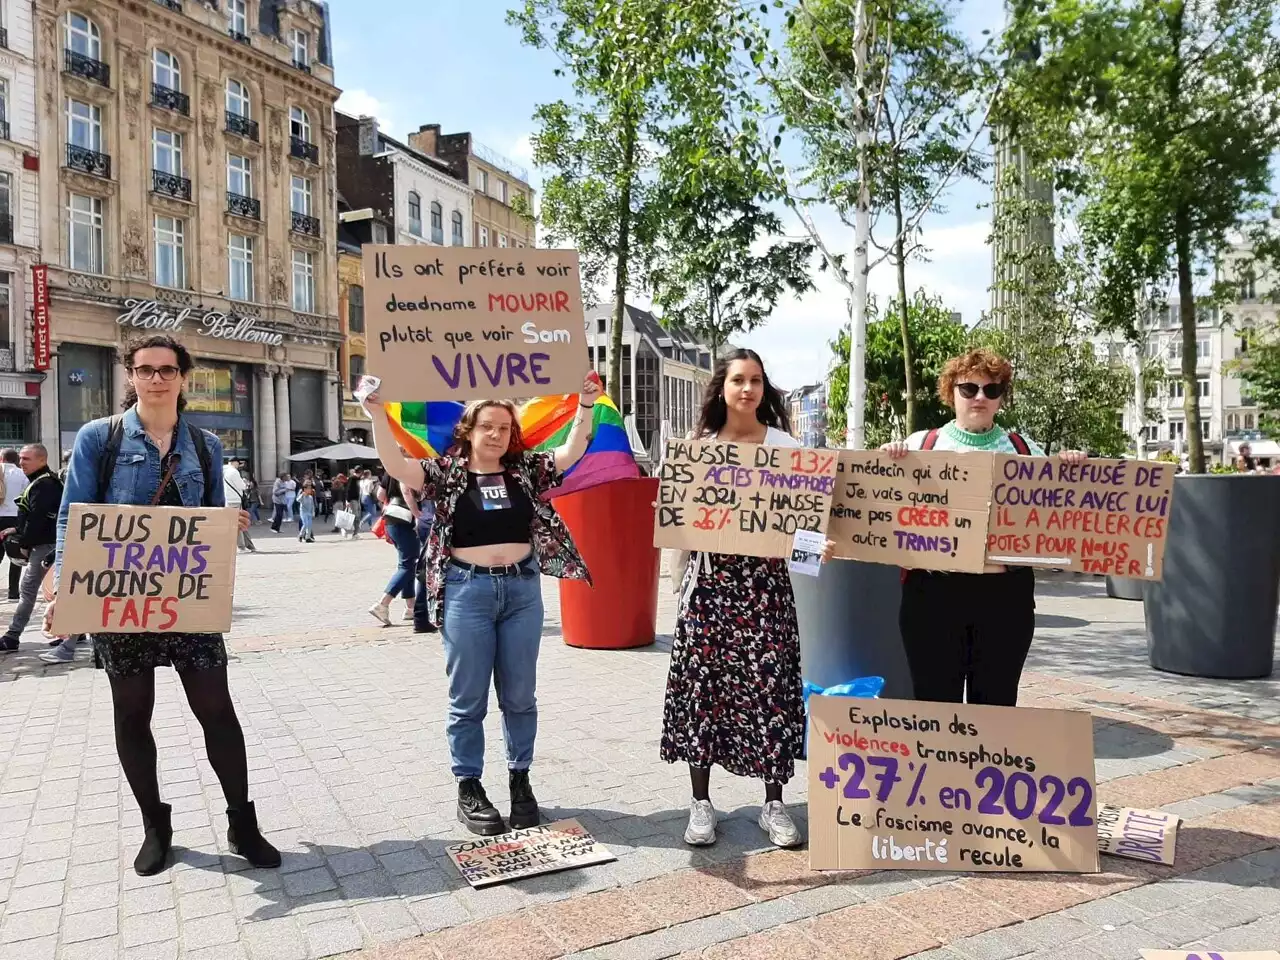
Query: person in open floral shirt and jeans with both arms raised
x=495, y=534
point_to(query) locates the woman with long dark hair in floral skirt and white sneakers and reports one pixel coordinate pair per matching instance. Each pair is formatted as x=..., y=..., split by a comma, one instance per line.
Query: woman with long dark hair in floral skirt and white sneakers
x=734, y=689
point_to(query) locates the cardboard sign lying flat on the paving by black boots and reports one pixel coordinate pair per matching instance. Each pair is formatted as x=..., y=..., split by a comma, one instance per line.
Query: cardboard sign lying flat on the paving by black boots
x=564, y=845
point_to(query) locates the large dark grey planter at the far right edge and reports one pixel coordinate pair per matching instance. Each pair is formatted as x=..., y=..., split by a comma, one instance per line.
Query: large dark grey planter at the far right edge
x=1214, y=615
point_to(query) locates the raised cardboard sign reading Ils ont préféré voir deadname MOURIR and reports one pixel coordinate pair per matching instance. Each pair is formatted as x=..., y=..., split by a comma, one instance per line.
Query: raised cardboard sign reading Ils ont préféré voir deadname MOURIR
x=459, y=323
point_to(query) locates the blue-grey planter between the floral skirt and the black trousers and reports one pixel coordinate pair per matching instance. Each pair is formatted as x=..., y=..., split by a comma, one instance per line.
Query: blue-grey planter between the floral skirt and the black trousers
x=849, y=627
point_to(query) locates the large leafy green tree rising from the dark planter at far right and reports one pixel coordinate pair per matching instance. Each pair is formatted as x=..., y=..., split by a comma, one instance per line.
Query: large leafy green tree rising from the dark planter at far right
x=1163, y=118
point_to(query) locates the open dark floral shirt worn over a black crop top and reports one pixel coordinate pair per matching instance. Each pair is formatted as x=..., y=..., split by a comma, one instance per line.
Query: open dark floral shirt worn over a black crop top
x=445, y=483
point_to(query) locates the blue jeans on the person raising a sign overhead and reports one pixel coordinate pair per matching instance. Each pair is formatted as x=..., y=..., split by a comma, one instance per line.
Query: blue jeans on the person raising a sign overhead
x=493, y=627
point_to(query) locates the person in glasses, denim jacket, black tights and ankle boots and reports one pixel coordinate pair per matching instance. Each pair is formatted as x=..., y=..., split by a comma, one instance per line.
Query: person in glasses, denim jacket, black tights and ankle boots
x=153, y=455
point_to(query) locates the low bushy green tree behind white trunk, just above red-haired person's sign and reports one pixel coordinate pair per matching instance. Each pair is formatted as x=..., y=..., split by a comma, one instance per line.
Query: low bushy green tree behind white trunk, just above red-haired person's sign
x=938, y=337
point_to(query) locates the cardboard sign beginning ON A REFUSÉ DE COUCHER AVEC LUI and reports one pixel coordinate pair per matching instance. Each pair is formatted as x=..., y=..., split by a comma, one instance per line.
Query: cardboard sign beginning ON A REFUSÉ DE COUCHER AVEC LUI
x=1101, y=516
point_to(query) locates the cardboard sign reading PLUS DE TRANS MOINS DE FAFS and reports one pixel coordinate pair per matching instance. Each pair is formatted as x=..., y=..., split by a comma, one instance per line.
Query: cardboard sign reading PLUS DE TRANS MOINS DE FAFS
x=148, y=570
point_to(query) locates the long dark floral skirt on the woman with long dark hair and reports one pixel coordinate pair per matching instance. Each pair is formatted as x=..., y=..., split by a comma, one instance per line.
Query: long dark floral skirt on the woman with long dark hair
x=734, y=692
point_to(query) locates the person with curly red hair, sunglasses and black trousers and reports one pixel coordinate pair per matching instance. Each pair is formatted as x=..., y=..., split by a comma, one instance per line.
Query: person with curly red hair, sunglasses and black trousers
x=967, y=636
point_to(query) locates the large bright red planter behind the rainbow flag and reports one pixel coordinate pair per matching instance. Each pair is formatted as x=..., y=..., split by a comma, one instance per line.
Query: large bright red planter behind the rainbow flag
x=612, y=525
